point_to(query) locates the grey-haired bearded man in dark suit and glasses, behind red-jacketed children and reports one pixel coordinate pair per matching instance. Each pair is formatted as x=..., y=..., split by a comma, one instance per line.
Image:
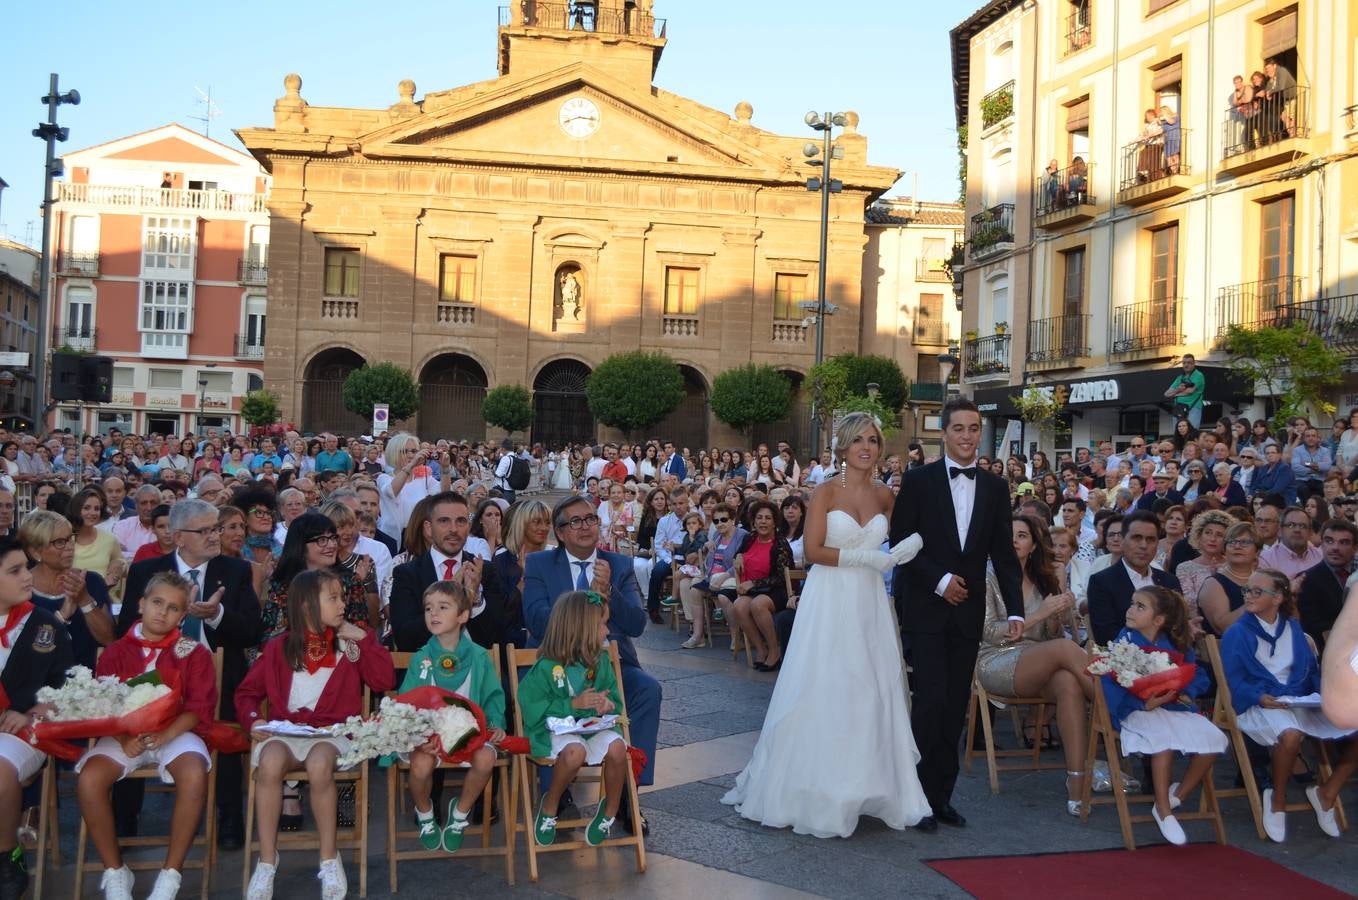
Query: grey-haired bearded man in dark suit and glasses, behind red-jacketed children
x=225, y=616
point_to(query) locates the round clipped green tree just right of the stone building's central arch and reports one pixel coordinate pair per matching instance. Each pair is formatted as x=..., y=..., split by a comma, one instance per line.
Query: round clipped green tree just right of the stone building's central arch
x=635, y=390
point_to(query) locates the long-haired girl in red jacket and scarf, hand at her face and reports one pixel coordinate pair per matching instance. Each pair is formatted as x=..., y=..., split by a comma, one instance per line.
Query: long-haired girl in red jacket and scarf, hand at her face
x=312, y=675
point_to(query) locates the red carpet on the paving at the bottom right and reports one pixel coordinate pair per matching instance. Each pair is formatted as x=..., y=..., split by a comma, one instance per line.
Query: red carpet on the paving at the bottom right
x=1117, y=875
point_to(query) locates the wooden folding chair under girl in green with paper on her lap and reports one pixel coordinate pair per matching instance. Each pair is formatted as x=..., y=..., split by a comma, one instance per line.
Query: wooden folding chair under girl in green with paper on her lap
x=530, y=789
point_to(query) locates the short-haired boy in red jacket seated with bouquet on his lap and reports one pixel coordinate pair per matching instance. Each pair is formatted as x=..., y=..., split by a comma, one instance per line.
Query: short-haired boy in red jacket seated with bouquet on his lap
x=154, y=644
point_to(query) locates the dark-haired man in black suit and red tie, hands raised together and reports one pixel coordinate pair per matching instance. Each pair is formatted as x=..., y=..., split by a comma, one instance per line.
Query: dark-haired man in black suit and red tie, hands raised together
x=446, y=531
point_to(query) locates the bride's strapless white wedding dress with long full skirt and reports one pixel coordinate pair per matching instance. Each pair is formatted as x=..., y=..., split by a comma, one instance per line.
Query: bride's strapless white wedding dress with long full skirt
x=837, y=742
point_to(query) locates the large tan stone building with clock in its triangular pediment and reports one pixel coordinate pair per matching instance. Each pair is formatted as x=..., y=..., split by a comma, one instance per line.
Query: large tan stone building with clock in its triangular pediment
x=522, y=230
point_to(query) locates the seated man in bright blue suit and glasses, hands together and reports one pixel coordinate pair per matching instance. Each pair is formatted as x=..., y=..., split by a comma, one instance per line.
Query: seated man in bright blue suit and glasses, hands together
x=579, y=565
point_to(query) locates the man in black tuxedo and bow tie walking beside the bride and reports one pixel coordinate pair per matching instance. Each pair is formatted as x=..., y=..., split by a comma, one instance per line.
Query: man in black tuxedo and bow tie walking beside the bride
x=964, y=517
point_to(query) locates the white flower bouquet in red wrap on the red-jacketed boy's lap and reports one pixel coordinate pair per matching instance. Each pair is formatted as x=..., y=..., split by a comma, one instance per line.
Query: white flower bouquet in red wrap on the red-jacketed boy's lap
x=89, y=707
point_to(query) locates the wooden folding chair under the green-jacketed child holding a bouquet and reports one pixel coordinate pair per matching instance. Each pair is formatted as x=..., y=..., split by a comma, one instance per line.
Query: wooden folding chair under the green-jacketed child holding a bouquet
x=506, y=776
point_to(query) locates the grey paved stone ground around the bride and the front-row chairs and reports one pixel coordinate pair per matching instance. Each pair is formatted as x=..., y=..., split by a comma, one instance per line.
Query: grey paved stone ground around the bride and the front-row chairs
x=700, y=849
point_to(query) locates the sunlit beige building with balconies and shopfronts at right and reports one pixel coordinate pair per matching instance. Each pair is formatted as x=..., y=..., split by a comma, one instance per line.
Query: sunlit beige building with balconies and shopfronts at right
x=1113, y=249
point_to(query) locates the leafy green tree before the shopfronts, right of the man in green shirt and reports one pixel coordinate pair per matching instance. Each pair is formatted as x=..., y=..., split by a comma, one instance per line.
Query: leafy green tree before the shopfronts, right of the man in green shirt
x=1293, y=364
